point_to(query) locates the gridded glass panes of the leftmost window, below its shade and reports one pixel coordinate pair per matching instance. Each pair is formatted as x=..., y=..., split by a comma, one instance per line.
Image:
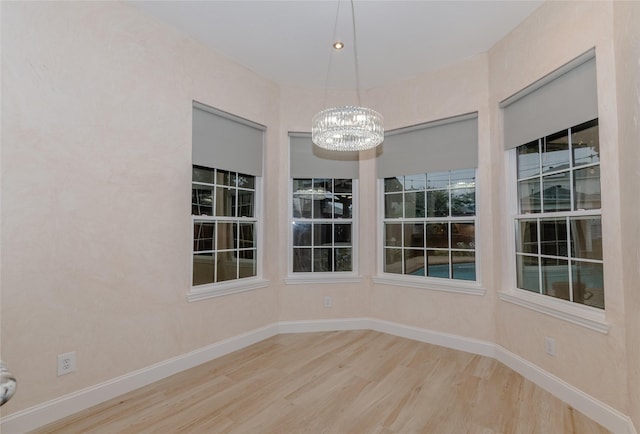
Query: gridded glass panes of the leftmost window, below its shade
x=224, y=226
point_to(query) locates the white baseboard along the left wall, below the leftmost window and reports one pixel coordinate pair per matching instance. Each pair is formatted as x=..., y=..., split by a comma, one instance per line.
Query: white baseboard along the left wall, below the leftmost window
x=50, y=411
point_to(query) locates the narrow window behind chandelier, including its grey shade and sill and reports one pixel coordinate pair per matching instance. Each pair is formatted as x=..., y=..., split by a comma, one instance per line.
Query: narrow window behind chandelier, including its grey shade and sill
x=322, y=213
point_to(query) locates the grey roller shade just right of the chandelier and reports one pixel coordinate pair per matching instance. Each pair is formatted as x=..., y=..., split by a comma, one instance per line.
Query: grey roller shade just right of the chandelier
x=447, y=144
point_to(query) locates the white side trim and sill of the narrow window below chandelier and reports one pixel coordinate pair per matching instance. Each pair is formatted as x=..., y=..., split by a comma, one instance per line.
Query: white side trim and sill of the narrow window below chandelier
x=301, y=278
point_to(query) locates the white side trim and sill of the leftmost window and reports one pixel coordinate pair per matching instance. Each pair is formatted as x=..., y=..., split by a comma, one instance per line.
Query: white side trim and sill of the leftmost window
x=211, y=290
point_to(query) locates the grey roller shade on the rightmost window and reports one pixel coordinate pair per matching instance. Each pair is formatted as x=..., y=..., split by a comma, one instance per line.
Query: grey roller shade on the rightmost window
x=564, y=98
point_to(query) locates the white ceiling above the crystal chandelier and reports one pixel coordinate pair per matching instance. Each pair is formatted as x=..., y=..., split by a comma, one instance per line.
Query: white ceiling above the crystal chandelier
x=290, y=42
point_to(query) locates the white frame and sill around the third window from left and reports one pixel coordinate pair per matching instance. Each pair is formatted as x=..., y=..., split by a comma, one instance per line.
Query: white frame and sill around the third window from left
x=426, y=282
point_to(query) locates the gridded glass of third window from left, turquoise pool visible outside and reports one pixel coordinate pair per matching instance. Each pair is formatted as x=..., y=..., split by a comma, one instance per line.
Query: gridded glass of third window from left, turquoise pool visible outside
x=429, y=225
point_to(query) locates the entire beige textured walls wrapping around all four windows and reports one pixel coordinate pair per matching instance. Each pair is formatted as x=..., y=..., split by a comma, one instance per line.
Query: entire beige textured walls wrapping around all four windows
x=96, y=127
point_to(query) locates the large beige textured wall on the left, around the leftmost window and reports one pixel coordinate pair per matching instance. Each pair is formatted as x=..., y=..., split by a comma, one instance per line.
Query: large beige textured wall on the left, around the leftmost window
x=96, y=147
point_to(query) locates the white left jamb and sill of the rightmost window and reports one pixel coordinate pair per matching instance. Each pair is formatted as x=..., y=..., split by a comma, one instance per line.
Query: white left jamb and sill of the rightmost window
x=586, y=316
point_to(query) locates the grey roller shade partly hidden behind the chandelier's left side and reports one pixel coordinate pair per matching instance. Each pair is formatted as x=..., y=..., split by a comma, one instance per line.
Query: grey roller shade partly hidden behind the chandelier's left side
x=310, y=161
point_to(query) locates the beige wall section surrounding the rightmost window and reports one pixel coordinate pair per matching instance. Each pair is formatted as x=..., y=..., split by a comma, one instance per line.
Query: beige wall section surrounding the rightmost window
x=553, y=35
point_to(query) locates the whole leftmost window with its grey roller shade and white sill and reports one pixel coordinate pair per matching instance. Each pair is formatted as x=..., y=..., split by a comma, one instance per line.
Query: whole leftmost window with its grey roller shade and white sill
x=225, y=195
